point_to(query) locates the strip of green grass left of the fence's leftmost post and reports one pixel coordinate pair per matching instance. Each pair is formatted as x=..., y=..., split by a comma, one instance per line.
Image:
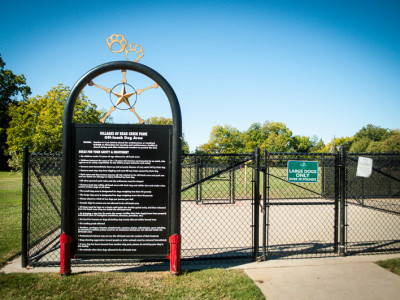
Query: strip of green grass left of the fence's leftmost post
x=10, y=215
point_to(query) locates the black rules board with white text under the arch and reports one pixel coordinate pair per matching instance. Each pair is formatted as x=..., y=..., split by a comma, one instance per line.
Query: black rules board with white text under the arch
x=121, y=187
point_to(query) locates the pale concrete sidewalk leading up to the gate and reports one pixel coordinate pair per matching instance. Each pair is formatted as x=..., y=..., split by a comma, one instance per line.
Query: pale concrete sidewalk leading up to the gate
x=354, y=277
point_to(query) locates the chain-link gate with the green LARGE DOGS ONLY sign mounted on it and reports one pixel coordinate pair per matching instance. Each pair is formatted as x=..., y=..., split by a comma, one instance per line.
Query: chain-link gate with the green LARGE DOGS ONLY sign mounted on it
x=300, y=217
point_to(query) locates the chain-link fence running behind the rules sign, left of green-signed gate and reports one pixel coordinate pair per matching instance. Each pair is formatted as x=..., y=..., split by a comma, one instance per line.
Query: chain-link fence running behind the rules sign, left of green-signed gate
x=217, y=216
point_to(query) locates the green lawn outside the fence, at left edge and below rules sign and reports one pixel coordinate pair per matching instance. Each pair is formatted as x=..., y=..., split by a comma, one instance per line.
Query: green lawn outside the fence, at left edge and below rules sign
x=204, y=284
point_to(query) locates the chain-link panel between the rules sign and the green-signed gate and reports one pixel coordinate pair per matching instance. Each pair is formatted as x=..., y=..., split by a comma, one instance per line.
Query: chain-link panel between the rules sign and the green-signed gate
x=218, y=206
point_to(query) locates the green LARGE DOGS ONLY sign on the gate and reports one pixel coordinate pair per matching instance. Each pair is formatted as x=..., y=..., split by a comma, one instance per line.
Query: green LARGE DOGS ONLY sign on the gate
x=302, y=171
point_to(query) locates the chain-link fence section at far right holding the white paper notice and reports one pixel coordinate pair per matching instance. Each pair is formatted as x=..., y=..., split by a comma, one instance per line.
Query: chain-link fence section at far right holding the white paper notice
x=373, y=205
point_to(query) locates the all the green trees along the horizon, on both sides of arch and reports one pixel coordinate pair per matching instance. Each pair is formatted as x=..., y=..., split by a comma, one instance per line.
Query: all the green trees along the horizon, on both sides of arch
x=36, y=122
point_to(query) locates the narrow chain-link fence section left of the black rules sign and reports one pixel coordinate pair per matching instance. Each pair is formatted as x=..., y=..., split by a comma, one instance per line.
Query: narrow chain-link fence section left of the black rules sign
x=44, y=208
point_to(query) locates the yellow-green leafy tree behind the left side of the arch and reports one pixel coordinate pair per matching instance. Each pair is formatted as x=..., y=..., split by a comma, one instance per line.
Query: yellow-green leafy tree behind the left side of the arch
x=37, y=122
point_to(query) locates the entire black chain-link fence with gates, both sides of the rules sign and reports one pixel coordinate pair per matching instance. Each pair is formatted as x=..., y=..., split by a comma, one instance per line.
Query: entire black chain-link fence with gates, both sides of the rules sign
x=243, y=206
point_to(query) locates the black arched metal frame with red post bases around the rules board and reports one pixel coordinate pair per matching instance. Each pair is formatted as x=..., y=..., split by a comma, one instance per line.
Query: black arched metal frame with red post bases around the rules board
x=68, y=225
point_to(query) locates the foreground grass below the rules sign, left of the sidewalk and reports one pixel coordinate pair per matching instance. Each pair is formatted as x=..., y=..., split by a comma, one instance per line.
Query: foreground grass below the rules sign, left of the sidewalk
x=204, y=284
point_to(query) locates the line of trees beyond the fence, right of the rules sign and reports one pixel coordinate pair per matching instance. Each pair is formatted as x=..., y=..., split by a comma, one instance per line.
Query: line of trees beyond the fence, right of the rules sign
x=276, y=137
